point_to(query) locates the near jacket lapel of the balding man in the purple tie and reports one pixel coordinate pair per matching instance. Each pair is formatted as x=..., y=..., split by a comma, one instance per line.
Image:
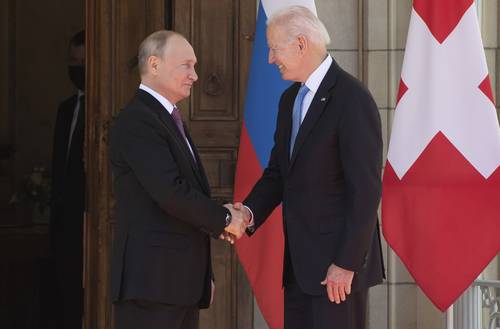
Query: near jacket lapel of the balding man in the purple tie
x=171, y=127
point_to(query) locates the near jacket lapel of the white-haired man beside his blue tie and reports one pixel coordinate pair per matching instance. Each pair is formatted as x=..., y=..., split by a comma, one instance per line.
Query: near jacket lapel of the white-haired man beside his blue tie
x=318, y=104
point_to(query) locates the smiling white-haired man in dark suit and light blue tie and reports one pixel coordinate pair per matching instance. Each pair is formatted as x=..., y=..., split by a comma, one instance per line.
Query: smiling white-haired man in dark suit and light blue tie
x=325, y=169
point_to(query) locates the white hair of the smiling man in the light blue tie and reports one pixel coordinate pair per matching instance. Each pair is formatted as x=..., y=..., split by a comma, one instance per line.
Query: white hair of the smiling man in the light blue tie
x=300, y=20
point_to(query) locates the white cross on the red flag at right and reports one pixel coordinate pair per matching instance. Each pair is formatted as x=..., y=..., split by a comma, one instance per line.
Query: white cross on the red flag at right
x=443, y=95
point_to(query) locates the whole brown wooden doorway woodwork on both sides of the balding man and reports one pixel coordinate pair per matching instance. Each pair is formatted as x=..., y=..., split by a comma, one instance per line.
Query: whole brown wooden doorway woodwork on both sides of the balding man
x=221, y=34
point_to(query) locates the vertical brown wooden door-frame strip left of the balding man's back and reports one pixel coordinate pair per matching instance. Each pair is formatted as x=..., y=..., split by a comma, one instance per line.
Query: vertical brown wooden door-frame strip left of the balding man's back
x=99, y=100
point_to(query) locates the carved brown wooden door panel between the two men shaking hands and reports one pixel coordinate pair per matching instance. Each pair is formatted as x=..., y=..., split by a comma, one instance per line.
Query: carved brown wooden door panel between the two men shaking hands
x=221, y=34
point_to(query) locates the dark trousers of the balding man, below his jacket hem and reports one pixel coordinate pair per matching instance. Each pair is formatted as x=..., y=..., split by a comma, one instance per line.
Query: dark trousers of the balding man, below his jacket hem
x=136, y=314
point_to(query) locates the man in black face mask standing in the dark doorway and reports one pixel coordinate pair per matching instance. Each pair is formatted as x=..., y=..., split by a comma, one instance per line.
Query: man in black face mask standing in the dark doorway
x=68, y=192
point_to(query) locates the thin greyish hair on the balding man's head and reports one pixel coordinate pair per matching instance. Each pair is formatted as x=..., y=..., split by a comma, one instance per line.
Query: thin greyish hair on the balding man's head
x=153, y=45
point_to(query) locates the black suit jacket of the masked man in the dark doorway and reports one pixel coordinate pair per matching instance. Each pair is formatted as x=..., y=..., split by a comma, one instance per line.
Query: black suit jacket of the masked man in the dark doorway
x=68, y=182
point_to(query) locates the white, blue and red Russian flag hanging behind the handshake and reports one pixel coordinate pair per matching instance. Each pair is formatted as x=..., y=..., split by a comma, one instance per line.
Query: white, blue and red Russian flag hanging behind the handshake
x=262, y=255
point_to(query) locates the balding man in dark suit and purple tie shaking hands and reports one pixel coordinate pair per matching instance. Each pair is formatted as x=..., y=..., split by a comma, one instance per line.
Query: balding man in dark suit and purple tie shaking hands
x=161, y=268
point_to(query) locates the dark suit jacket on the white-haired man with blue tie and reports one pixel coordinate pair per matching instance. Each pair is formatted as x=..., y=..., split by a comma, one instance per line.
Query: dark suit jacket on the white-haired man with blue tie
x=330, y=188
